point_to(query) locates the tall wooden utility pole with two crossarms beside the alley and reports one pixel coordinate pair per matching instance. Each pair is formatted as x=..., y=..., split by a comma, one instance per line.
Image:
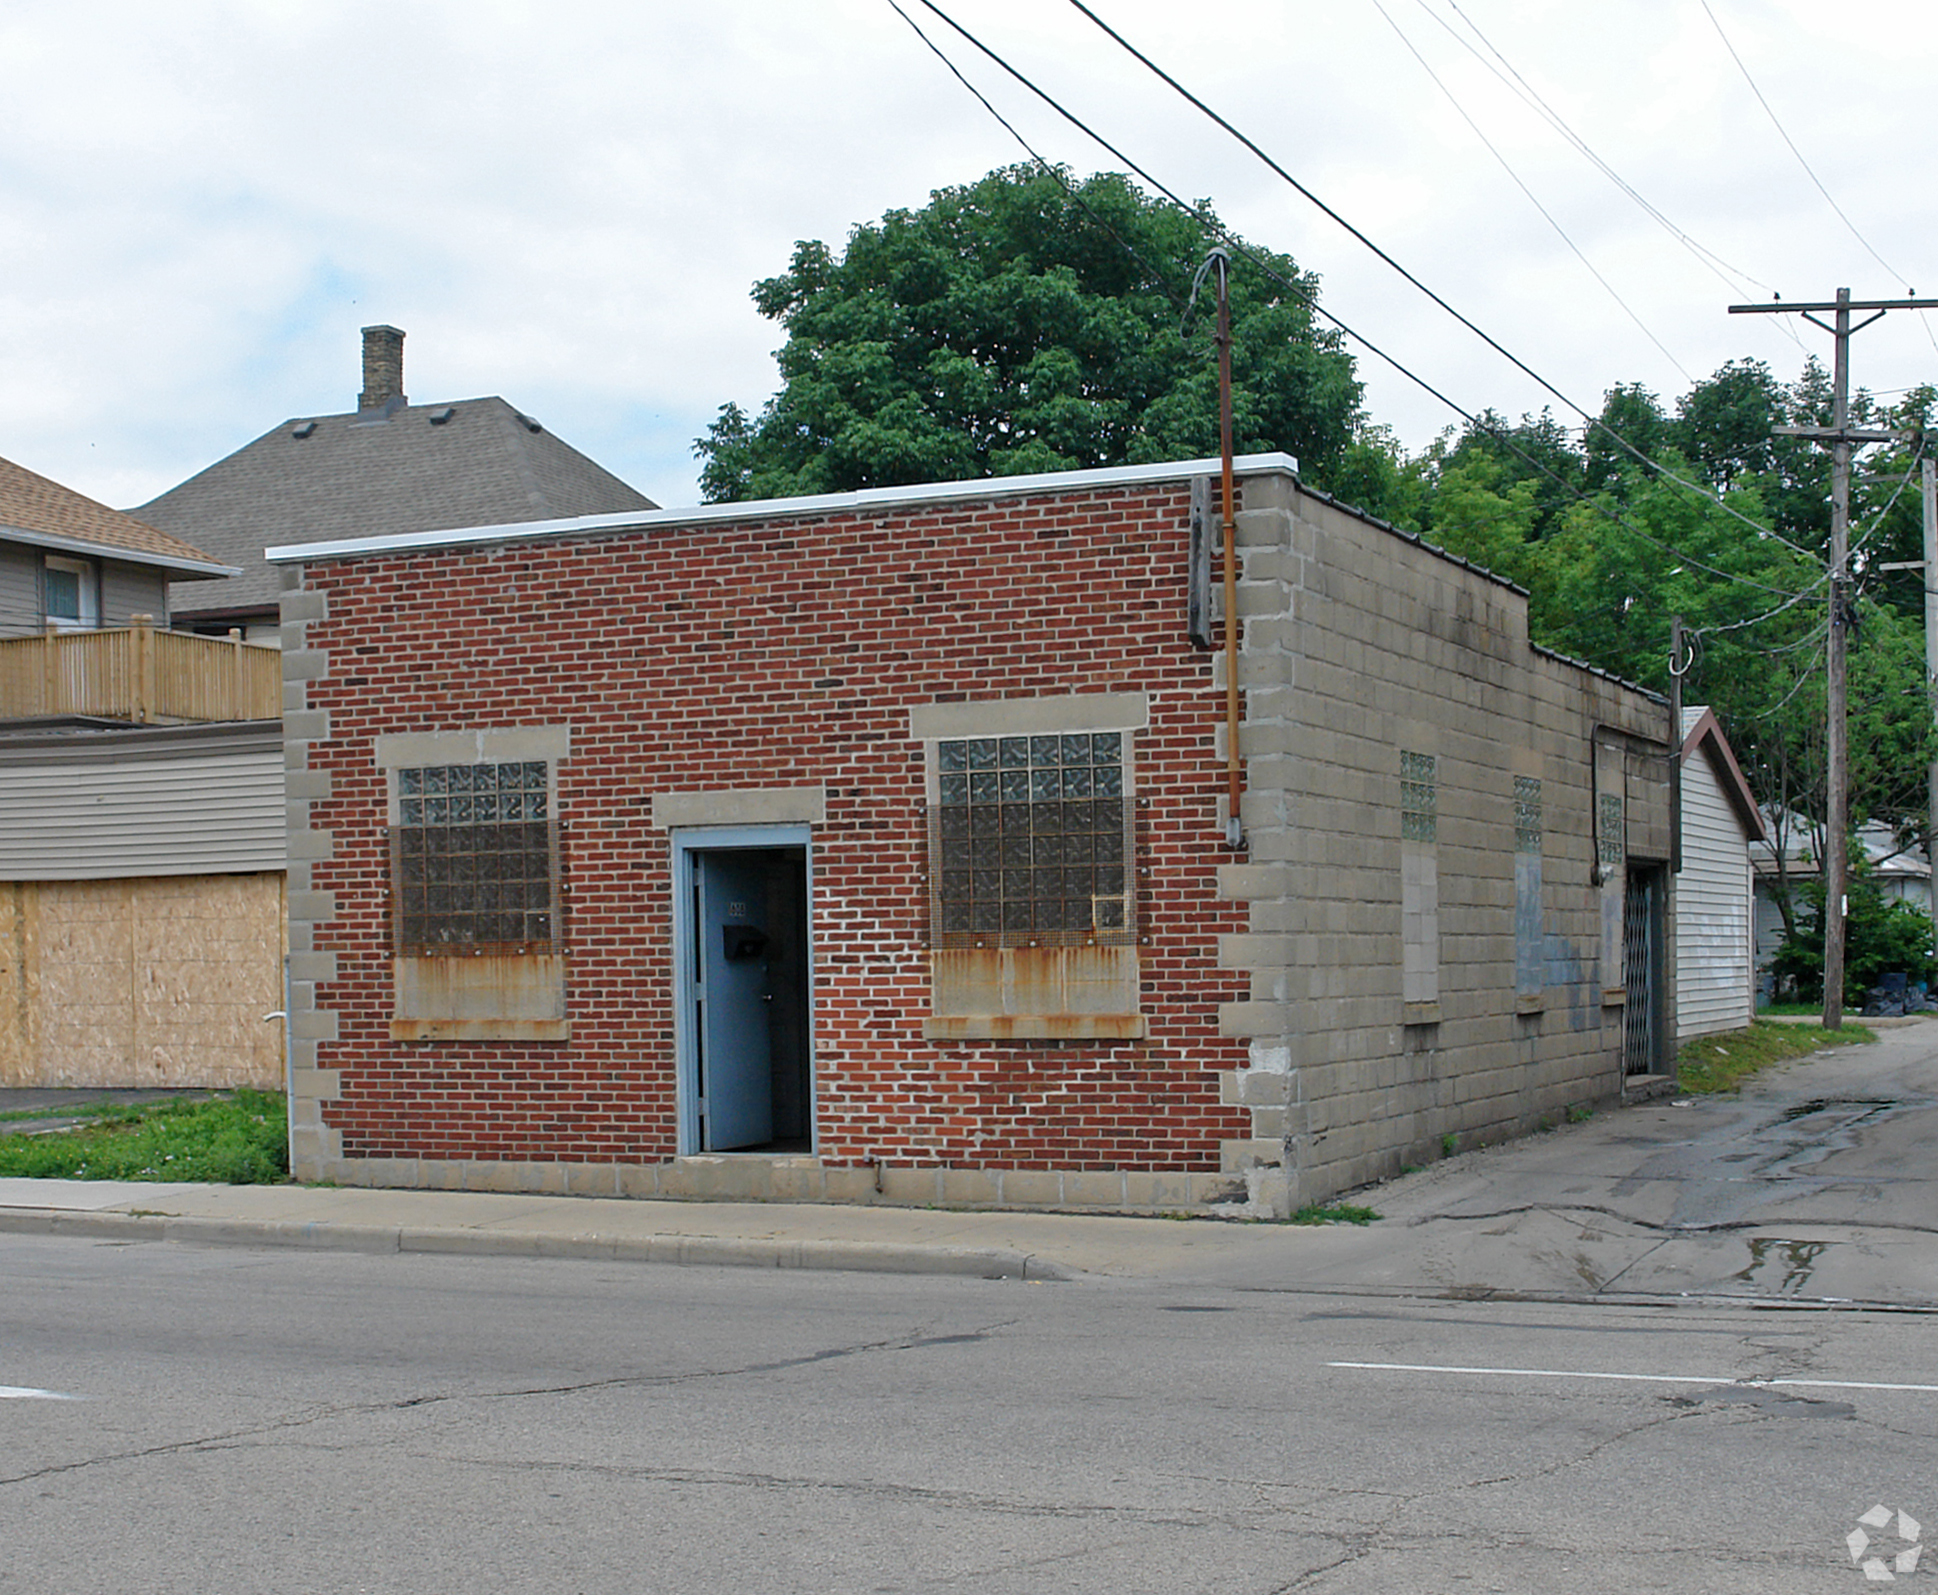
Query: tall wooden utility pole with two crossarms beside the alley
x=1842, y=439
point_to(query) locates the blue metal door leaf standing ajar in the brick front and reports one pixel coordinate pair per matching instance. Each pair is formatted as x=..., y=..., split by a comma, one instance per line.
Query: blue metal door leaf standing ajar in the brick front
x=735, y=1001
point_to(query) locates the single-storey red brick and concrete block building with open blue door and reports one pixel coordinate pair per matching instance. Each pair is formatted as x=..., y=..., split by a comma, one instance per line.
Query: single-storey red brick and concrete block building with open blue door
x=873, y=848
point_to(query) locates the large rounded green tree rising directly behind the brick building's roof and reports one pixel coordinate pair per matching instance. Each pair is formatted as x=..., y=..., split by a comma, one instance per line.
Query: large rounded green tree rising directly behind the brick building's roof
x=1030, y=323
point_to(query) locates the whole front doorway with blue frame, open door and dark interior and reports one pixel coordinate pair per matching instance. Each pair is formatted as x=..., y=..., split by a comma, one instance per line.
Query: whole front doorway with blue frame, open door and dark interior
x=745, y=976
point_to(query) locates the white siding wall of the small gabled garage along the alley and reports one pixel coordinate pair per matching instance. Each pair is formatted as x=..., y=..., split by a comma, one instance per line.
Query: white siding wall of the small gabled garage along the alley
x=1714, y=980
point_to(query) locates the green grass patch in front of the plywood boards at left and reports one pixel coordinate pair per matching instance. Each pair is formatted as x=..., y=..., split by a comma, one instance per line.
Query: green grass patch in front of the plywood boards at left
x=237, y=1141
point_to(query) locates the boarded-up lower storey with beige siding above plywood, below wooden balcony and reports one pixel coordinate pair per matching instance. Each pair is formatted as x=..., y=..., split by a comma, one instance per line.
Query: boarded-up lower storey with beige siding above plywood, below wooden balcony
x=142, y=906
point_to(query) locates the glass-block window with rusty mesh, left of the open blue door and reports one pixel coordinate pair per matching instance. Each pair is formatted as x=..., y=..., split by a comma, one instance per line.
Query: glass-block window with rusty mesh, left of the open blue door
x=474, y=861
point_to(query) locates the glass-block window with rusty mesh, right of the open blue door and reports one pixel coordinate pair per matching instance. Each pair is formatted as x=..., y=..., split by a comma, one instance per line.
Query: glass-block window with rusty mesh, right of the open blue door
x=1032, y=842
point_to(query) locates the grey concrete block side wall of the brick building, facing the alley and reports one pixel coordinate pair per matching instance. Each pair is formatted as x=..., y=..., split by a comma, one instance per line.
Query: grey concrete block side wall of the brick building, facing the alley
x=1363, y=642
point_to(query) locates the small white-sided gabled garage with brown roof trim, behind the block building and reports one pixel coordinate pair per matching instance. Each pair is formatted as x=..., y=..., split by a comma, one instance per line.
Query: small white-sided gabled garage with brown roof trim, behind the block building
x=1716, y=945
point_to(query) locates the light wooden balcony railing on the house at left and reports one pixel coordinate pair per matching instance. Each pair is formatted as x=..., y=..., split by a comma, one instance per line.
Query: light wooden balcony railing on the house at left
x=141, y=675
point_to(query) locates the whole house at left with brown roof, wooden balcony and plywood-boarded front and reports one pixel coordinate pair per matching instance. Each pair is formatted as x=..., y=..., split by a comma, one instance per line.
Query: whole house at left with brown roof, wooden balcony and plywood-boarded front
x=141, y=854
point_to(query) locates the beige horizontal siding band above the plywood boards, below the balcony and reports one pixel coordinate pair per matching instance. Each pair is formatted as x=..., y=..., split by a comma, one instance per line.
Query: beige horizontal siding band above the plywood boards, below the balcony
x=131, y=803
